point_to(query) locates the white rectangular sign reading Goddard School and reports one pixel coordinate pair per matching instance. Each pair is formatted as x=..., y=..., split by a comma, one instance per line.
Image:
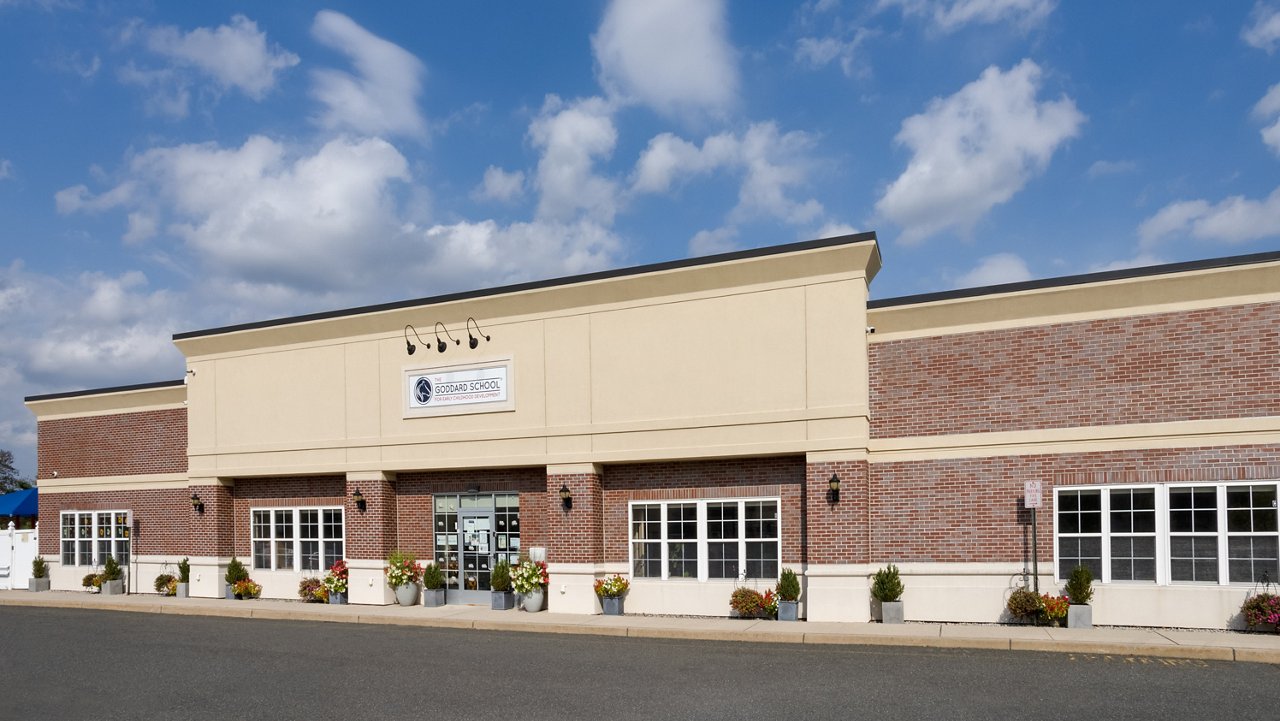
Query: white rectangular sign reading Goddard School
x=469, y=390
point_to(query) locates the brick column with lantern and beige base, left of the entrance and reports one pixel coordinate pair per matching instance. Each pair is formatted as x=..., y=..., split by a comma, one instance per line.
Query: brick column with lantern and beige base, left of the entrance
x=372, y=536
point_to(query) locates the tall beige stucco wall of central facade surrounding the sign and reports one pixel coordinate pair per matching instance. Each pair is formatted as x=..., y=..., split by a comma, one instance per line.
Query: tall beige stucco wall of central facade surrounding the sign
x=755, y=357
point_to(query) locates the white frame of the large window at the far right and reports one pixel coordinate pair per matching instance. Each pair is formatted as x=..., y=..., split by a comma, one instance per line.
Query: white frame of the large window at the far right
x=1164, y=573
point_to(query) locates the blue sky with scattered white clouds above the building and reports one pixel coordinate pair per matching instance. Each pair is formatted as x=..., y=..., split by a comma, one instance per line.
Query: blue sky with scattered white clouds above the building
x=185, y=166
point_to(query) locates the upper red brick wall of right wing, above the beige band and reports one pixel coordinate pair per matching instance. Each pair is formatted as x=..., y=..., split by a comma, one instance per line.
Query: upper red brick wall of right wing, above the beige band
x=1204, y=364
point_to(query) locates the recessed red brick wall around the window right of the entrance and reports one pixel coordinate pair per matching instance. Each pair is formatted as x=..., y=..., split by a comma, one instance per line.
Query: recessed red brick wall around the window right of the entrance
x=781, y=477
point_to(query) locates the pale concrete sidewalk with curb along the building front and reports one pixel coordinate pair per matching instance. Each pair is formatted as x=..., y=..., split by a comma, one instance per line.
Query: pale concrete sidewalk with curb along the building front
x=1213, y=646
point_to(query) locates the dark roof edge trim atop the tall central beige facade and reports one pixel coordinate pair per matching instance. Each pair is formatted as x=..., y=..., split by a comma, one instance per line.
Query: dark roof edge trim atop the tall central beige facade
x=540, y=285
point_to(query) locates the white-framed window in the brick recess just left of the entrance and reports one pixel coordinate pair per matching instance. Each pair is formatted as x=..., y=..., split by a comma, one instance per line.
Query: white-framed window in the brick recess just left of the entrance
x=296, y=540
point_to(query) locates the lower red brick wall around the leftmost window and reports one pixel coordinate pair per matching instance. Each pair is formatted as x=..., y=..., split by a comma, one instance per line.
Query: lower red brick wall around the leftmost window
x=161, y=518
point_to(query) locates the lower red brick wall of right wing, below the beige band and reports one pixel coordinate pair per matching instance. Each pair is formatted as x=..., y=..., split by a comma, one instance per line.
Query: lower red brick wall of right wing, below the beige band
x=970, y=510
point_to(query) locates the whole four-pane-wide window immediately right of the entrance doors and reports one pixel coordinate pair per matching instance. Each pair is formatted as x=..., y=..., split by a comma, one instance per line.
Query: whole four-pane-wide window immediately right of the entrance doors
x=706, y=540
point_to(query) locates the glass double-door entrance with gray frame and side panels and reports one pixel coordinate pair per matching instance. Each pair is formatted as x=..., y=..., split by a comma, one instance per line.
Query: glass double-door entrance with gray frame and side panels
x=474, y=532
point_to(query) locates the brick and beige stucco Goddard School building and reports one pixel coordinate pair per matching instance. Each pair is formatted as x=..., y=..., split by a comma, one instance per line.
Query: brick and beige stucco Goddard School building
x=697, y=414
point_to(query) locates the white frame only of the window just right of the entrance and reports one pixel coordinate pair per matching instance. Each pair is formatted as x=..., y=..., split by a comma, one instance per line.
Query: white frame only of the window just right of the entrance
x=702, y=540
